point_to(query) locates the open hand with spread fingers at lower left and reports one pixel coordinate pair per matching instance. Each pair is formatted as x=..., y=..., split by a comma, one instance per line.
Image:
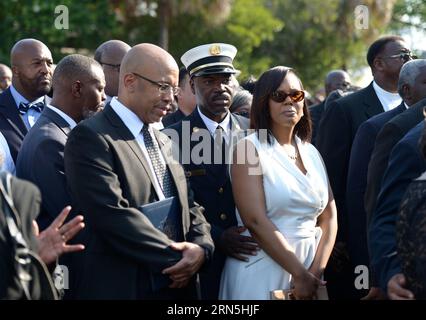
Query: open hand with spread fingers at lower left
x=52, y=242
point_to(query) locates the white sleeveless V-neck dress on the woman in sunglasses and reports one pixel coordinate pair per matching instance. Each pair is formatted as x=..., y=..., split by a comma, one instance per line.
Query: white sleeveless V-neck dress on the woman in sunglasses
x=293, y=203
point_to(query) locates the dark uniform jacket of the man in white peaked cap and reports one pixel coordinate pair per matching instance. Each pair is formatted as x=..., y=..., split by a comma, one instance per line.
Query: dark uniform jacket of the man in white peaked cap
x=212, y=189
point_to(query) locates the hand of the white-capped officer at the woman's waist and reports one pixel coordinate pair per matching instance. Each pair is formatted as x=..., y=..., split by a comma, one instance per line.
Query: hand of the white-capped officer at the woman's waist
x=235, y=245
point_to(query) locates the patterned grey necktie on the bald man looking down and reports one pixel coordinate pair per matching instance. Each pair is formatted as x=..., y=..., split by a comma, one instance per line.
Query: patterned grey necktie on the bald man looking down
x=161, y=171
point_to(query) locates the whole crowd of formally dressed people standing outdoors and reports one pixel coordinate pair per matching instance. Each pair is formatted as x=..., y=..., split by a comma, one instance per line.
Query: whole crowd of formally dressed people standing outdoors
x=192, y=185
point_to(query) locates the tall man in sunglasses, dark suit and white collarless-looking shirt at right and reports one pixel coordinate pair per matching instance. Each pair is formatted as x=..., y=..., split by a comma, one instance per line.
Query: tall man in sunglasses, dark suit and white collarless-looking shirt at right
x=337, y=130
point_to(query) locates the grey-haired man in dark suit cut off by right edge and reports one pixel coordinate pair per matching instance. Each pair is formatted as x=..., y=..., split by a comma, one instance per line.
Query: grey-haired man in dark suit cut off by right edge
x=394, y=130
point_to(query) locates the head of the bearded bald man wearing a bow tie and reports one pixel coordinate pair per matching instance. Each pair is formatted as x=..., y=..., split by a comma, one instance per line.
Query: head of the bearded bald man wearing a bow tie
x=32, y=68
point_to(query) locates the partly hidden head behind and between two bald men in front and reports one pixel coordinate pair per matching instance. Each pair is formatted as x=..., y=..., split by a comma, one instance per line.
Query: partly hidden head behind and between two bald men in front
x=110, y=54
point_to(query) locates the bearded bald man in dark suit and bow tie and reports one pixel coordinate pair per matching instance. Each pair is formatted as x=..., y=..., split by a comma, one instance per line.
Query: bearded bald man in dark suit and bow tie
x=22, y=102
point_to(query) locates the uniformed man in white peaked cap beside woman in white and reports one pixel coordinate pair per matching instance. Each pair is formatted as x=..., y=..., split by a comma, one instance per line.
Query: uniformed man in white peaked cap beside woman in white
x=210, y=68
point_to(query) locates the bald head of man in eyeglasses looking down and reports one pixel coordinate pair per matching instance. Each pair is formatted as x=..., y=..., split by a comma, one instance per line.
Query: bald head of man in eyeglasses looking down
x=148, y=78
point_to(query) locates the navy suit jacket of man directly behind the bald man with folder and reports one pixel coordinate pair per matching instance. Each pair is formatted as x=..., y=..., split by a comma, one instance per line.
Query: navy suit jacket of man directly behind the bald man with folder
x=41, y=161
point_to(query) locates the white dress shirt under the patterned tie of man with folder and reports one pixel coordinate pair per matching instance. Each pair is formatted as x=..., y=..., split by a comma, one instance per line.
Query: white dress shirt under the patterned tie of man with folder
x=135, y=125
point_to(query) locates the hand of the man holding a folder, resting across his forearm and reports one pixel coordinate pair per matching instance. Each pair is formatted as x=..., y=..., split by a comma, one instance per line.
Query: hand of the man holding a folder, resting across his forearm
x=192, y=260
